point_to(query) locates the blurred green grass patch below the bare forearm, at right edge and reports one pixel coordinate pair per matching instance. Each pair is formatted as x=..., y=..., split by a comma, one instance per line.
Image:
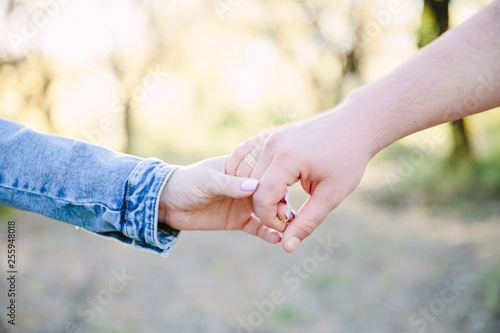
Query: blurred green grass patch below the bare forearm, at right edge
x=467, y=190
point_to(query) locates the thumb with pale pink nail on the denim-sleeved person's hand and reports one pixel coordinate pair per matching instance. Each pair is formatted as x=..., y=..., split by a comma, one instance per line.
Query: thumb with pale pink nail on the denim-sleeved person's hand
x=232, y=186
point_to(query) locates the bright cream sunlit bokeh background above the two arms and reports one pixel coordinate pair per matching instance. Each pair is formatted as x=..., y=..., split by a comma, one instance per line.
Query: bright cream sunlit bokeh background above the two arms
x=193, y=77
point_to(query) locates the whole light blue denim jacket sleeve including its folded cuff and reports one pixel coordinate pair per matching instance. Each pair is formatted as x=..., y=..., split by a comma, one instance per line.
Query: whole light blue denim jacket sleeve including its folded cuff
x=112, y=194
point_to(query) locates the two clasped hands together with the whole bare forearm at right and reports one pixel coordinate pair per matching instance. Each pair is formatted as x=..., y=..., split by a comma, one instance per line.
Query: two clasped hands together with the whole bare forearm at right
x=328, y=153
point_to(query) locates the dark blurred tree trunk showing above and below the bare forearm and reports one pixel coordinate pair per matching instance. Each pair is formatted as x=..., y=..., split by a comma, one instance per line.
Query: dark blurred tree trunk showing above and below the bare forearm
x=461, y=143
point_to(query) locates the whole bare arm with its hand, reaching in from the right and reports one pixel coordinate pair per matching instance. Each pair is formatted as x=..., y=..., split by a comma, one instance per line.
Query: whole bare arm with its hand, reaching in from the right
x=455, y=76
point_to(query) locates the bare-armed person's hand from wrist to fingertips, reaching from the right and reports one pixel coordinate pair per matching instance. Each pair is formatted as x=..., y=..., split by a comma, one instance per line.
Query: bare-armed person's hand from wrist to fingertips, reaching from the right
x=327, y=153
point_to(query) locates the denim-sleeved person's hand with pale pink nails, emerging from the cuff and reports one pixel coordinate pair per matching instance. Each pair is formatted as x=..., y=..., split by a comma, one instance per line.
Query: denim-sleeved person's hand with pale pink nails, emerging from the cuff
x=201, y=197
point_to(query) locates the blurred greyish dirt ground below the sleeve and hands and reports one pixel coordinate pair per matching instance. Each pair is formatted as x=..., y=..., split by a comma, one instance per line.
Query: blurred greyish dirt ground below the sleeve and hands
x=366, y=269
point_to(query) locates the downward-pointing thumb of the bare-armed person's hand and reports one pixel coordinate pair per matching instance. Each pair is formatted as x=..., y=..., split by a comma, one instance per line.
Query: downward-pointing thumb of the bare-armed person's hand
x=310, y=216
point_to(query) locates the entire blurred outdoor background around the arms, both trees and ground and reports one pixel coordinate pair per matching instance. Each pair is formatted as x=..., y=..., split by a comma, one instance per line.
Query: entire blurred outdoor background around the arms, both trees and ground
x=187, y=80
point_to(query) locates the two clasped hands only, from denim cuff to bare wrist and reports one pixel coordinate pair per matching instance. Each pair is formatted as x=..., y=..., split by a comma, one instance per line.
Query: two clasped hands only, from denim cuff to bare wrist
x=230, y=193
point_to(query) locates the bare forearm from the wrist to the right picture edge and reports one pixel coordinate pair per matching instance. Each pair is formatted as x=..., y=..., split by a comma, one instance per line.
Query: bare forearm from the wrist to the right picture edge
x=456, y=76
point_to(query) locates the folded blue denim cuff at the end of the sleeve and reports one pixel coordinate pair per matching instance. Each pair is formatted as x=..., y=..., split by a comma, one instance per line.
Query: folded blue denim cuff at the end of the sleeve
x=142, y=199
